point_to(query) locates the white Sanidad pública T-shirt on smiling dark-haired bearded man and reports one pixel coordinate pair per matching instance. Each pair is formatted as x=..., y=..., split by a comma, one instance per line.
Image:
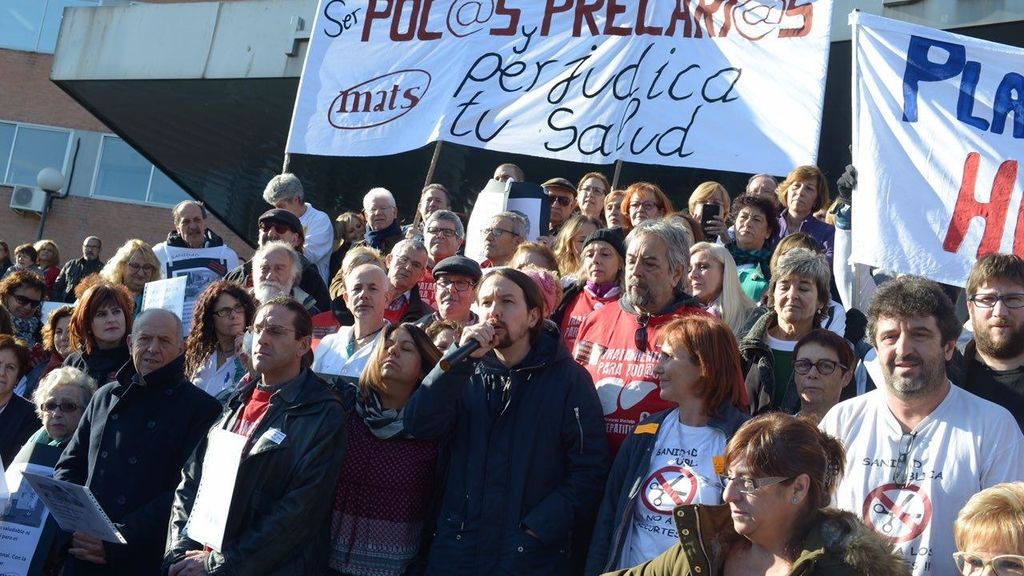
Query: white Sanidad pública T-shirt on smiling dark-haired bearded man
x=967, y=444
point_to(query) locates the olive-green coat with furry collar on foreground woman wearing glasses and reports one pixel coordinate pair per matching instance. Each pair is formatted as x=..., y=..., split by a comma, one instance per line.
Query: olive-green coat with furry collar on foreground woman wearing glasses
x=838, y=545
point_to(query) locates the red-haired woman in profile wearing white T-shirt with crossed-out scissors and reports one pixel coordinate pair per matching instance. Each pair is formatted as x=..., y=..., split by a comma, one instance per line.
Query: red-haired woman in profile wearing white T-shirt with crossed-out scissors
x=673, y=456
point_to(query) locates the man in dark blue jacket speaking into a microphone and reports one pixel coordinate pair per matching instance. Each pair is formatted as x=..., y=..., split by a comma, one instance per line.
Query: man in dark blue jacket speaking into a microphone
x=529, y=455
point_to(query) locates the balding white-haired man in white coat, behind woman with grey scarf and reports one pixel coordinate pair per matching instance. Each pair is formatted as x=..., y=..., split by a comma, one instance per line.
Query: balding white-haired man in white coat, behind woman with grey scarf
x=347, y=352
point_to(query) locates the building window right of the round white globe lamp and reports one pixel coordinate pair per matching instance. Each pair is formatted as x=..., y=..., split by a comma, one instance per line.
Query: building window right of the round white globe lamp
x=122, y=174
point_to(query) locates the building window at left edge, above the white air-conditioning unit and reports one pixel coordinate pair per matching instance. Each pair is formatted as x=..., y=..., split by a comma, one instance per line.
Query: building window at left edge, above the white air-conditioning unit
x=26, y=150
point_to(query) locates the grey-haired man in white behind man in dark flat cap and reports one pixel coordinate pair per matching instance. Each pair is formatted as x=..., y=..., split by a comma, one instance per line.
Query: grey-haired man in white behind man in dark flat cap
x=285, y=192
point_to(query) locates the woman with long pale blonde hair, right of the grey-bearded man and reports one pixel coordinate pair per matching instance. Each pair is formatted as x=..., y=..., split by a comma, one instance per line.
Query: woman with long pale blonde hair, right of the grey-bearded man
x=715, y=282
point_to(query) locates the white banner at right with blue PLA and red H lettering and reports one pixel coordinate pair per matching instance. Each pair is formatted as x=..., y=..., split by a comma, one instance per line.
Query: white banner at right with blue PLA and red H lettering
x=938, y=127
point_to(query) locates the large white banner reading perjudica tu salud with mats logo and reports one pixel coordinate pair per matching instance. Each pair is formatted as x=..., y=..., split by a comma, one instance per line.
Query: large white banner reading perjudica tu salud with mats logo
x=735, y=86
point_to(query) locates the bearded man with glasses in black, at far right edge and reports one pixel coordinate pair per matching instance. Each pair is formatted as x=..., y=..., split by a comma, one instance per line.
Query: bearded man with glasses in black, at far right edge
x=994, y=361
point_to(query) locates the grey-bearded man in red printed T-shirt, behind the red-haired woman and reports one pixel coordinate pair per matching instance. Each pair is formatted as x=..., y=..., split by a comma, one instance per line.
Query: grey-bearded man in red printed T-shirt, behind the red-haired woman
x=617, y=344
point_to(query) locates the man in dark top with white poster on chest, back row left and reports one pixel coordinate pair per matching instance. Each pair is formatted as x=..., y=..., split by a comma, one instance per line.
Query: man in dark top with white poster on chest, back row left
x=194, y=252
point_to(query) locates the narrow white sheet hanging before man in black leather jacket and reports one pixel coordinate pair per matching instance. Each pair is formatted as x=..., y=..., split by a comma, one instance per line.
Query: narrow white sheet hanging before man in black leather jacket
x=214, y=500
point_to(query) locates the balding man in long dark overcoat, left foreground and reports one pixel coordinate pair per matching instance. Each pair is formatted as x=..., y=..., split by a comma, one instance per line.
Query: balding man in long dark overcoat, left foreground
x=135, y=437
